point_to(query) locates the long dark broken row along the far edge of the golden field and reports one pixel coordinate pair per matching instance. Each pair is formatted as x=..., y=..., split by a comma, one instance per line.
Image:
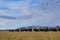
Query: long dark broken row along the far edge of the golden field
x=46, y=29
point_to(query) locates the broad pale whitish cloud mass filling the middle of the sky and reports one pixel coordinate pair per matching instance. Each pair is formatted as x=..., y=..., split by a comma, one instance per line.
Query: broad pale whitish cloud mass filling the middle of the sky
x=26, y=16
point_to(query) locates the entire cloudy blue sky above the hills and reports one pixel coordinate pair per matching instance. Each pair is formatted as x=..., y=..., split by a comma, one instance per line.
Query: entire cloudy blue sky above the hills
x=23, y=13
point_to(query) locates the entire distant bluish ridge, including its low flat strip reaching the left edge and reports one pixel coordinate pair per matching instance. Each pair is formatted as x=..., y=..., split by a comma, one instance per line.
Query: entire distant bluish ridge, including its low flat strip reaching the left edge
x=32, y=27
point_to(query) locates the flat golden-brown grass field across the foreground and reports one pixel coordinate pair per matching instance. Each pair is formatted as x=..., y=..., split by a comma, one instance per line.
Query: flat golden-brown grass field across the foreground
x=29, y=35
